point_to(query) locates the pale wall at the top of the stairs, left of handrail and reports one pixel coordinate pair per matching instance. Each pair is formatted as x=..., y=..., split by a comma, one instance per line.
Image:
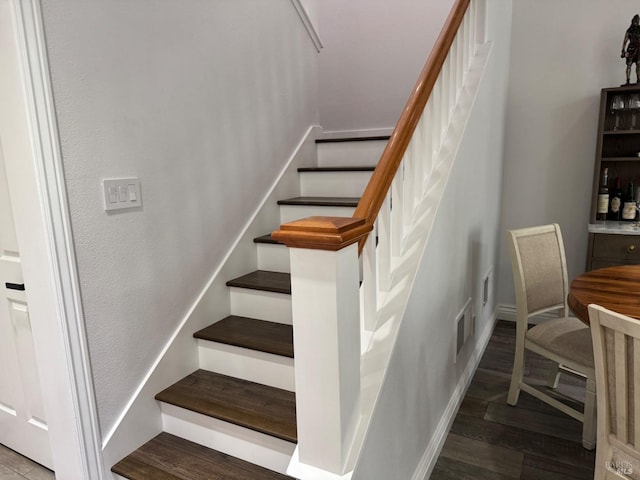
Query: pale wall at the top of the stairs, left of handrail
x=374, y=51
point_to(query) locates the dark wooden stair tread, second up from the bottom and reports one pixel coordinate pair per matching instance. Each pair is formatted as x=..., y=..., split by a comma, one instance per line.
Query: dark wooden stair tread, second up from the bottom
x=265, y=409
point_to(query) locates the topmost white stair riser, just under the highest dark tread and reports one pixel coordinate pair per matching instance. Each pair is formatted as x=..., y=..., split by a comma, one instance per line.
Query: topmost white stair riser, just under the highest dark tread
x=350, y=154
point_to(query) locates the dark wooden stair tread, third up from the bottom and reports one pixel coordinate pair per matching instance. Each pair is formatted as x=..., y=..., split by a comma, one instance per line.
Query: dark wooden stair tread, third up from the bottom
x=269, y=337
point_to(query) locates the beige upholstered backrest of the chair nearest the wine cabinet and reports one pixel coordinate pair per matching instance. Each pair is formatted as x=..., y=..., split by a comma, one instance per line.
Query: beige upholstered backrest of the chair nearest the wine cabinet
x=539, y=270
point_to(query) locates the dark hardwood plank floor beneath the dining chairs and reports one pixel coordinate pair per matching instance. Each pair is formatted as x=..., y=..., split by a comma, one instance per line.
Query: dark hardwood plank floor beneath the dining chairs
x=490, y=440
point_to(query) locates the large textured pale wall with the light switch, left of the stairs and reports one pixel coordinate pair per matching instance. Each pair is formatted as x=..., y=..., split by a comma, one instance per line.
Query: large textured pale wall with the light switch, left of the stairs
x=204, y=102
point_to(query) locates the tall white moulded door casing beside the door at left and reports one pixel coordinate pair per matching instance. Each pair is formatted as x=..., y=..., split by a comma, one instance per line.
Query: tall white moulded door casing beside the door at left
x=82, y=431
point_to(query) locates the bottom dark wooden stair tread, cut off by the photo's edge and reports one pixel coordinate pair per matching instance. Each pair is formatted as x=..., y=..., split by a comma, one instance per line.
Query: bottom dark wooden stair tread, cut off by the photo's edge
x=167, y=457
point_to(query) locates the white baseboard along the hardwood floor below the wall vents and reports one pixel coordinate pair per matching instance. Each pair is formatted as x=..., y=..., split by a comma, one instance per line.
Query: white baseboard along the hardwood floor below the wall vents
x=430, y=456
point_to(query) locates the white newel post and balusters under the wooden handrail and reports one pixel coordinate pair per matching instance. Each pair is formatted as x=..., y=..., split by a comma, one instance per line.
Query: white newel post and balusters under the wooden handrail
x=382, y=252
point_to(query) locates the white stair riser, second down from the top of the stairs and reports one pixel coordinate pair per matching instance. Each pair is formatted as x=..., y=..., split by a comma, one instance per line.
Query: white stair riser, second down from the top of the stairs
x=335, y=184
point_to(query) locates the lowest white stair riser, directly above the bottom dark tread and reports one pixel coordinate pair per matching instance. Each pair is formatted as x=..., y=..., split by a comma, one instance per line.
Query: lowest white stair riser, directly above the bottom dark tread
x=246, y=444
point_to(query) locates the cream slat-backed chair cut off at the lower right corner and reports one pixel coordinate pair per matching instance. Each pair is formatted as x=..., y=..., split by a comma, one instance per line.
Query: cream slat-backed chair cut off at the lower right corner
x=616, y=346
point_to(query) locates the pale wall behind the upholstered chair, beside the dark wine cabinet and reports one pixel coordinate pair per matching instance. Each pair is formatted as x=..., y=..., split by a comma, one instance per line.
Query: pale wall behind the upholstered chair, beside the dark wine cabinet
x=563, y=53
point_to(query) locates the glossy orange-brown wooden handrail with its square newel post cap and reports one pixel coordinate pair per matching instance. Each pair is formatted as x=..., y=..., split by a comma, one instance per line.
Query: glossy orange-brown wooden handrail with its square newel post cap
x=308, y=234
